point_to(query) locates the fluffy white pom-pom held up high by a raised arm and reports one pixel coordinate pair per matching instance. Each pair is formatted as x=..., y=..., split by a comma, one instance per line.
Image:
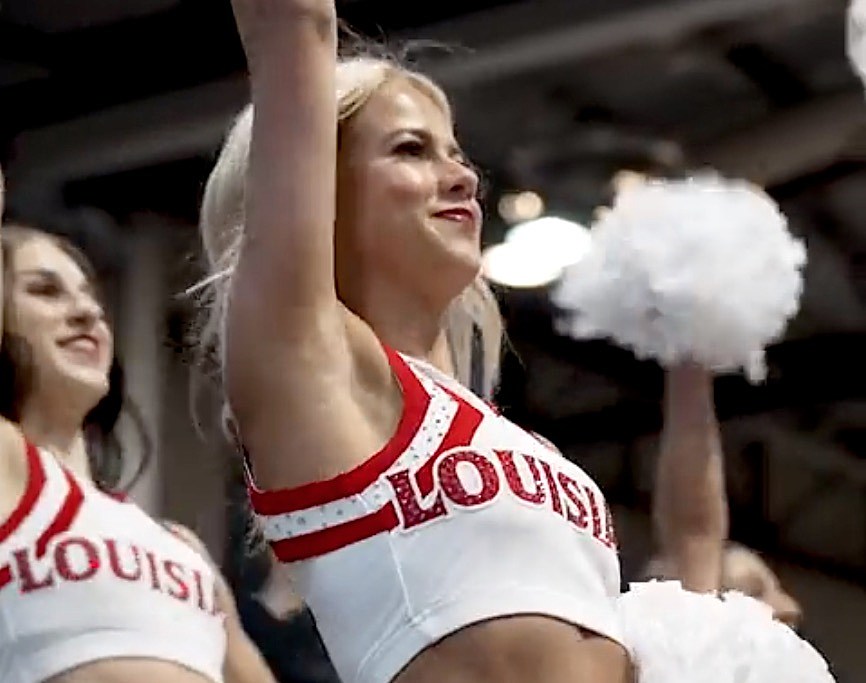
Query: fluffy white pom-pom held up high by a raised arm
x=701, y=270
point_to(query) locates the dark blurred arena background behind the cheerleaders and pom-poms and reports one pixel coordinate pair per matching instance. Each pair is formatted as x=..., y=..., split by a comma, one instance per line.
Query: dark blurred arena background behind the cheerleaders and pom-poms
x=111, y=113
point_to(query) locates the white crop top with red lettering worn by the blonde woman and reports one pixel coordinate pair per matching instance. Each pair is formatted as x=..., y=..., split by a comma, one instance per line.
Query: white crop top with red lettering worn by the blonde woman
x=460, y=518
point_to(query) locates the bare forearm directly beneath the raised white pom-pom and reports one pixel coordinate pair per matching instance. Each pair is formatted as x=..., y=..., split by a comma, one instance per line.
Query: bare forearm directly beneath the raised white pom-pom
x=690, y=508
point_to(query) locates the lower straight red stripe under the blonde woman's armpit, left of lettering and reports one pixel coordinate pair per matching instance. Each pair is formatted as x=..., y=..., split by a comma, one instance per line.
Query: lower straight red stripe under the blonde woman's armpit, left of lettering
x=335, y=537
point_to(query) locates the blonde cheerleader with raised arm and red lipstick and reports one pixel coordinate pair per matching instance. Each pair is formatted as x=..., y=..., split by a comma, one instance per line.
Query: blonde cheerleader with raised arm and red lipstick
x=432, y=539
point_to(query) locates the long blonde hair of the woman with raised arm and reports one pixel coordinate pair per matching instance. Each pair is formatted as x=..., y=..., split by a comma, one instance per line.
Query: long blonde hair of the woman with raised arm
x=474, y=312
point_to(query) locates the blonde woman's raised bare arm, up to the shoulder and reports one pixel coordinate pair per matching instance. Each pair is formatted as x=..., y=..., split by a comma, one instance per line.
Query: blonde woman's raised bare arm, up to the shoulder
x=283, y=315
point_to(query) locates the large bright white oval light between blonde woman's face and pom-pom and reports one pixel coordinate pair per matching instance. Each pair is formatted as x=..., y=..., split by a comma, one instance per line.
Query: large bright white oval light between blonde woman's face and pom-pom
x=535, y=253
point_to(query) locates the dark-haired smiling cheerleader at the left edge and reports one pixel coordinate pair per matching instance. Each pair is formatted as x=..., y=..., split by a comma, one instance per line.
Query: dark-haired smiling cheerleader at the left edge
x=91, y=588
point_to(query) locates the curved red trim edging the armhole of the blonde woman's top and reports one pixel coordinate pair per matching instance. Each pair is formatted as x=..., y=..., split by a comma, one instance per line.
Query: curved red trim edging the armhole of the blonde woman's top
x=415, y=404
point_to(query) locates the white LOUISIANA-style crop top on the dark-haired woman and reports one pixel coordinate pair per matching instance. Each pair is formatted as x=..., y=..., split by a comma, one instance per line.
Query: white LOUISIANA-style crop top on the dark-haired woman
x=86, y=577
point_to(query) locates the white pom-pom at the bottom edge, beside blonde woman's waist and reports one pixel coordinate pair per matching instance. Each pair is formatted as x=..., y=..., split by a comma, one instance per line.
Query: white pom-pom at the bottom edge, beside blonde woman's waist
x=677, y=636
